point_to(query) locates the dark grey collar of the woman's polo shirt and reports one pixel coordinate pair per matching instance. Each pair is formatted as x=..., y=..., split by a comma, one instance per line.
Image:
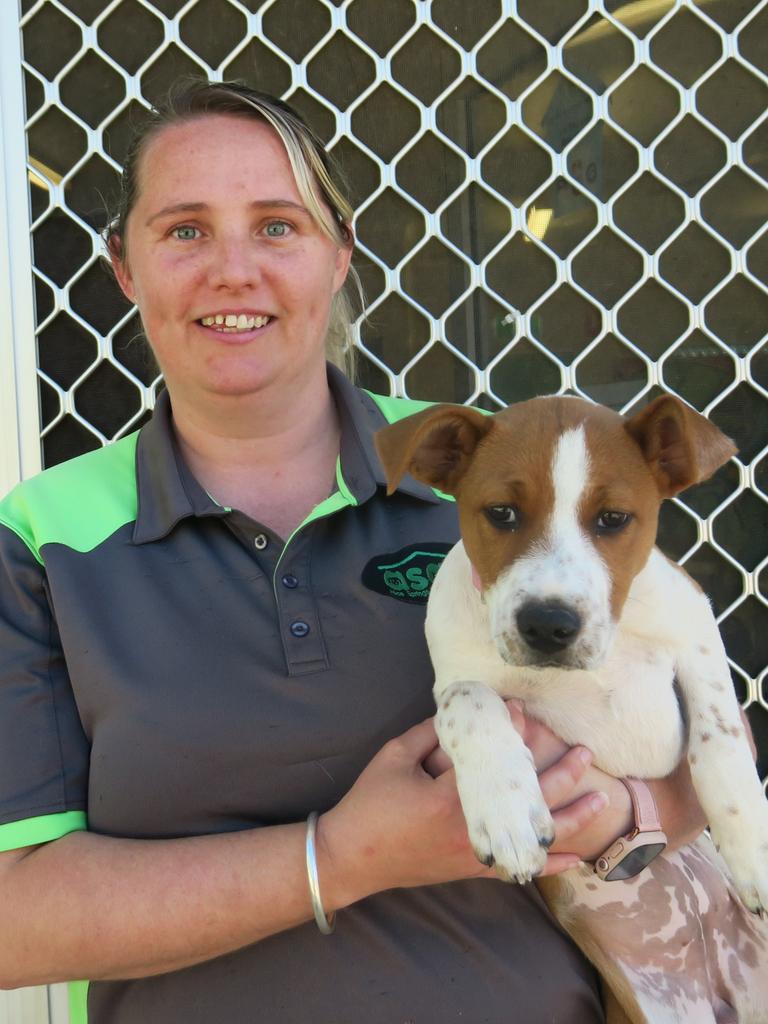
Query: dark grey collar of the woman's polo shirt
x=169, y=493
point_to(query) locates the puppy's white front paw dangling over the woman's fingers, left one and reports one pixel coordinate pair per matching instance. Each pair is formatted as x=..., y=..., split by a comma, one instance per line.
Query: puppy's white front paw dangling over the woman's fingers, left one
x=510, y=828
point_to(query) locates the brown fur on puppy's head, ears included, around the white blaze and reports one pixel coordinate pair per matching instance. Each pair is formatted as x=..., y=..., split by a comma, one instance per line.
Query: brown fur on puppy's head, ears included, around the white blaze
x=506, y=461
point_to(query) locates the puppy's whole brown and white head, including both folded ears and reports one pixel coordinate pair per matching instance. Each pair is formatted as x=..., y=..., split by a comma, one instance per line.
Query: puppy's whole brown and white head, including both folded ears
x=559, y=503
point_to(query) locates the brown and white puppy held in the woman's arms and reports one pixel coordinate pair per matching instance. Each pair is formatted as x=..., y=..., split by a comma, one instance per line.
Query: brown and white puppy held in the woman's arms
x=558, y=596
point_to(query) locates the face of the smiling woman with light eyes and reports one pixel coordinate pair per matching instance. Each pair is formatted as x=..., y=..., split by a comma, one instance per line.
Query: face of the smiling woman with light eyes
x=233, y=277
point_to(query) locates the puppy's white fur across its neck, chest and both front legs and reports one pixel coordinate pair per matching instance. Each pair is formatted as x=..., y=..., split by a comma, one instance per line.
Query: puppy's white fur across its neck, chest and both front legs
x=624, y=710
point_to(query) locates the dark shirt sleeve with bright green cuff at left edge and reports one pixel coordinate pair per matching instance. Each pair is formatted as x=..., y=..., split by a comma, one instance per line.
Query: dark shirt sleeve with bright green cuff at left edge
x=44, y=749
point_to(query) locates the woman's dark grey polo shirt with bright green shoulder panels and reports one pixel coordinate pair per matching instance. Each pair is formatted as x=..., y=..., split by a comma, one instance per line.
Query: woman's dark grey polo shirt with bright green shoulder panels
x=172, y=668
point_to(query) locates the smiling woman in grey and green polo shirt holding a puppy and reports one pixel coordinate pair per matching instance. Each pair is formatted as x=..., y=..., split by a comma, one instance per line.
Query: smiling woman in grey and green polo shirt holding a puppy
x=200, y=649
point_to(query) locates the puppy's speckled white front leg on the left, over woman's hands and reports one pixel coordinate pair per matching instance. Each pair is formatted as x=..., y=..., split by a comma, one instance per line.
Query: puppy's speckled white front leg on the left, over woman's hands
x=508, y=821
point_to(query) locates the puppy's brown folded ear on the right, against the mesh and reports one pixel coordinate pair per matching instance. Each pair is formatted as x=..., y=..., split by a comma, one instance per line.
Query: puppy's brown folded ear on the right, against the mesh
x=680, y=446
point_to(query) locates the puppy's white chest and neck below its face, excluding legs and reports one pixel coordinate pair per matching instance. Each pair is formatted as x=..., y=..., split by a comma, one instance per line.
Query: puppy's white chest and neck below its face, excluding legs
x=625, y=711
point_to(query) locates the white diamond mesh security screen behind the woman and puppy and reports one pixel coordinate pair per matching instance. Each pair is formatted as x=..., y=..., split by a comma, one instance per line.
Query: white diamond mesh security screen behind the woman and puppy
x=552, y=196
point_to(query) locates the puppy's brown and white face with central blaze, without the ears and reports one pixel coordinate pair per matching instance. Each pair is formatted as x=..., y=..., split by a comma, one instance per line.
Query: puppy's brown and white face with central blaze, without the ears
x=559, y=514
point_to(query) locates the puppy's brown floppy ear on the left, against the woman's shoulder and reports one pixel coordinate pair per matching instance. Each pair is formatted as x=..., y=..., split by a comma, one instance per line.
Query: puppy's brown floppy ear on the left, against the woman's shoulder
x=434, y=446
